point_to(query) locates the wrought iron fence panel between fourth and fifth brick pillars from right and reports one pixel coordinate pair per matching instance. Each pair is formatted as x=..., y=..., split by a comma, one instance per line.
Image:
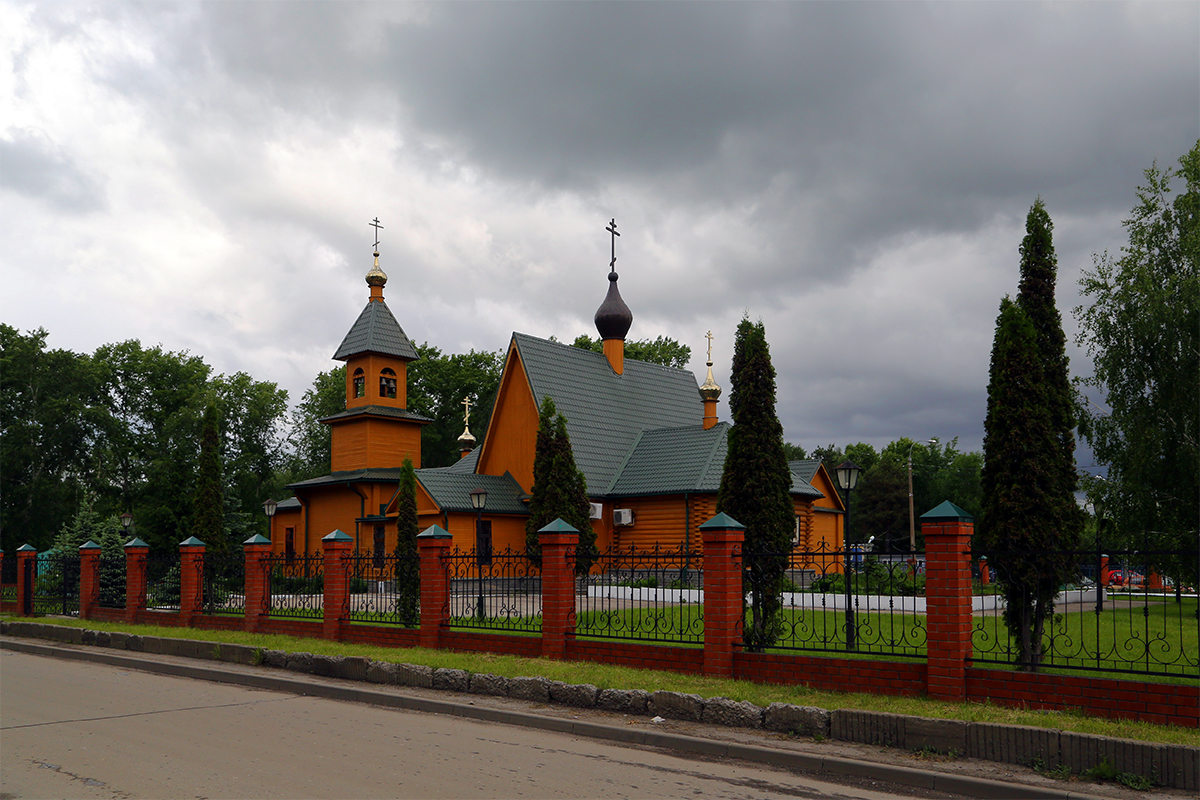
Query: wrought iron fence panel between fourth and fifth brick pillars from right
x=385, y=588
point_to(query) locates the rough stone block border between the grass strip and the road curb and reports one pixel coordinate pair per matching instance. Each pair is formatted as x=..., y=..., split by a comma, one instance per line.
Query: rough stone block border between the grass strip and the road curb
x=1172, y=766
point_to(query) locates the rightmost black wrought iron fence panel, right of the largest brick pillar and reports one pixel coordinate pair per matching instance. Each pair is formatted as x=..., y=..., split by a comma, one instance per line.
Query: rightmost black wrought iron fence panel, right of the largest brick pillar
x=1051, y=611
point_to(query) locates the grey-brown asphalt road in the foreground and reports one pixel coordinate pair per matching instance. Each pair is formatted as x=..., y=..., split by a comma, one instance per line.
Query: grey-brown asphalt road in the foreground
x=71, y=730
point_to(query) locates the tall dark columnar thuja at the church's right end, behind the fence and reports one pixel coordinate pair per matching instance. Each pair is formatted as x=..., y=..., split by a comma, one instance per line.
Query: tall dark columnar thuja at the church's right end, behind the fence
x=757, y=483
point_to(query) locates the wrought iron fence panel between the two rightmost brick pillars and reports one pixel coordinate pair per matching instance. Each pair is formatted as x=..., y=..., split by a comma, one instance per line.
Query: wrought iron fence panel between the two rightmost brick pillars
x=836, y=601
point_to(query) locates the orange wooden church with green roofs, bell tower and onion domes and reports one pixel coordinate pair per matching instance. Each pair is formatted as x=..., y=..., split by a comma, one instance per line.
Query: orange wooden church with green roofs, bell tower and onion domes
x=646, y=438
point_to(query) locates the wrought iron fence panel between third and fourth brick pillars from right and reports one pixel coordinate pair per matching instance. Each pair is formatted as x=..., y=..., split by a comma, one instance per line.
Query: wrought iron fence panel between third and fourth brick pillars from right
x=495, y=591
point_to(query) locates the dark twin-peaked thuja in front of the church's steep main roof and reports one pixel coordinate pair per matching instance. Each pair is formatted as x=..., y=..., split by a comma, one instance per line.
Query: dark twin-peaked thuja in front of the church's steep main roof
x=560, y=490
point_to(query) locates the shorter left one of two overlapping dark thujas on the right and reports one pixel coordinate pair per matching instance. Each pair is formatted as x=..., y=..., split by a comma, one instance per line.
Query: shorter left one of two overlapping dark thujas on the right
x=1017, y=482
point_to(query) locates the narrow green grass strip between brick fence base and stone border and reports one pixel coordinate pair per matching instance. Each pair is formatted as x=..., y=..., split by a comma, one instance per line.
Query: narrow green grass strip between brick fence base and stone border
x=614, y=677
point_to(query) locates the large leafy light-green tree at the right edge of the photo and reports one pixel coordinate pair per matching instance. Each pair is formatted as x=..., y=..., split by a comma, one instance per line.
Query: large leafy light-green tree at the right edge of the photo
x=1143, y=330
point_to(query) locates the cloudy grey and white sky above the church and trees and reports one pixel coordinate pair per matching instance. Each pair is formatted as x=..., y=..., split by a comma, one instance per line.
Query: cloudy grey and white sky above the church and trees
x=855, y=175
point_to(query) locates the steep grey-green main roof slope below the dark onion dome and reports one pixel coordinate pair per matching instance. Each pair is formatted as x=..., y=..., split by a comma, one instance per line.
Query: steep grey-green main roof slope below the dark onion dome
x=605, y=412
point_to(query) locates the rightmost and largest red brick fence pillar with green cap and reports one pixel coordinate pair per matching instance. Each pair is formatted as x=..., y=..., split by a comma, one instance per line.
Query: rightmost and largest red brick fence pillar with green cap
x=949, y=623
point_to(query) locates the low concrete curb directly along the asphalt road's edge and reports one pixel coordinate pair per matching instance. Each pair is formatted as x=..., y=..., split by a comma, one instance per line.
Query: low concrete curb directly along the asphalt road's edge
x=969, y=786
